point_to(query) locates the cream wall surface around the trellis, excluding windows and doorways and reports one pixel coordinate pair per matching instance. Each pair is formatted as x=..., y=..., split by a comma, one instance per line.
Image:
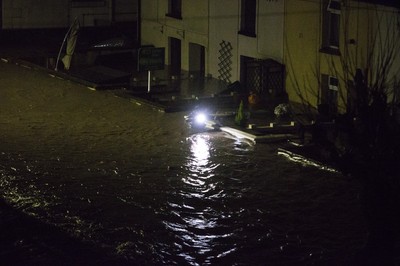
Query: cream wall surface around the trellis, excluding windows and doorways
x=210, y=23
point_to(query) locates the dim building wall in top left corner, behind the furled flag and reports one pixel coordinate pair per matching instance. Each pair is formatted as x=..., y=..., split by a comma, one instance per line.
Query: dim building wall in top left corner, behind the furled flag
x=30, y=14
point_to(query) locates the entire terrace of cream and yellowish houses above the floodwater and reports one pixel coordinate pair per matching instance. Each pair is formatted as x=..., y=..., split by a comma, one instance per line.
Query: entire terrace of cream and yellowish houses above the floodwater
x=309, y=50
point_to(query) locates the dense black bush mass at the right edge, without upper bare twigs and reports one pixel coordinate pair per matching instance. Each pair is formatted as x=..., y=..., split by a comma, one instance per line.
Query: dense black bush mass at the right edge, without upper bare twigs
x=366, y=146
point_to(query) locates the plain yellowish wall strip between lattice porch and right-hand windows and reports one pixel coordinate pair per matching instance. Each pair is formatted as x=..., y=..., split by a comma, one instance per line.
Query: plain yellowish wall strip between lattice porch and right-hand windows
x=301, y=52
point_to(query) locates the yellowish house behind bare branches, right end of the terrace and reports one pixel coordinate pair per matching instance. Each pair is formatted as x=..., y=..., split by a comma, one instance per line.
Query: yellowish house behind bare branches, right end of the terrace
x=328, y=42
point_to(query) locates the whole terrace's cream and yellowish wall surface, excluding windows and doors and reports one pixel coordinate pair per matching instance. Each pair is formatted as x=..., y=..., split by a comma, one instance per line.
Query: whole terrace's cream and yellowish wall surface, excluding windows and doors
x=289, y=31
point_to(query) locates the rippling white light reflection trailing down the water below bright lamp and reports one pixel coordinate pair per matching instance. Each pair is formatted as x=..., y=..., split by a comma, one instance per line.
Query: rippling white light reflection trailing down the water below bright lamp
x=196, y=224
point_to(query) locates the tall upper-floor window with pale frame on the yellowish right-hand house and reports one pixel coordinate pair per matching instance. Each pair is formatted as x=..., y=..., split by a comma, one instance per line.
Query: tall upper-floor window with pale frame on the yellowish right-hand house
x=330, y=26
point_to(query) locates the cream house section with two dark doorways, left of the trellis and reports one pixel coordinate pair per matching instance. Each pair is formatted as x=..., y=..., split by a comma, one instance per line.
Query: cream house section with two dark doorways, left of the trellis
x=182, y=27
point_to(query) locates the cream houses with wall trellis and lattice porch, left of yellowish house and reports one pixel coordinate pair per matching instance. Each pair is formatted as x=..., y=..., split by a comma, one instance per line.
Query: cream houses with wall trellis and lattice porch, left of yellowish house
x=214, y=39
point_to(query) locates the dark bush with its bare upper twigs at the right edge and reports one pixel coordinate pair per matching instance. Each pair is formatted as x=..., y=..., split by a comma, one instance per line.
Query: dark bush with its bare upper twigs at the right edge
x=364, y=140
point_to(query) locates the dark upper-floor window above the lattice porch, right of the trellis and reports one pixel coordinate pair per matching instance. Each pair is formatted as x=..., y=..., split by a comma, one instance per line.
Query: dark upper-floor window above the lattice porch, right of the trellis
x=248, y=18
